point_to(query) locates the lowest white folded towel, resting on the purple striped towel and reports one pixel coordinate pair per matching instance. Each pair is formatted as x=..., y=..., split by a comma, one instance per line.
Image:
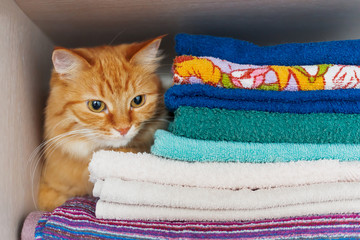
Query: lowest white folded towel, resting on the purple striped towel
x=109, y=210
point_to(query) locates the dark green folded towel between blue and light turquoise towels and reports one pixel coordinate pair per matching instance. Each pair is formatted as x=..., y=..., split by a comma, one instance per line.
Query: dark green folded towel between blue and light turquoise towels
x=265, y=127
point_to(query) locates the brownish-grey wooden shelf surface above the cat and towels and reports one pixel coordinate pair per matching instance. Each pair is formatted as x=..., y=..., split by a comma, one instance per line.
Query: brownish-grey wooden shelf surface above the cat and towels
x=89, y=22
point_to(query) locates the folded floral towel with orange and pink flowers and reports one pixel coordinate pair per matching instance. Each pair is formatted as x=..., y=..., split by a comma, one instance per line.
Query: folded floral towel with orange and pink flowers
x=222, y=73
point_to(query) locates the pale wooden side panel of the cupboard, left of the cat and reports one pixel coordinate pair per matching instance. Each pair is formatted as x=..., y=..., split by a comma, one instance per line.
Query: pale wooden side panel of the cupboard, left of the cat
x=24, y=70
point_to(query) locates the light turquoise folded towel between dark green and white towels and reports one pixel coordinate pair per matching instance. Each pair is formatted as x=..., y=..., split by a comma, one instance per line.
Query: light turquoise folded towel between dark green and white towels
x=175, y=147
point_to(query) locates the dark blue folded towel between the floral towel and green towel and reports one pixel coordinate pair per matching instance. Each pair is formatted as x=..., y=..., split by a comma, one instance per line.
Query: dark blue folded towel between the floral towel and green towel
x=321, y=101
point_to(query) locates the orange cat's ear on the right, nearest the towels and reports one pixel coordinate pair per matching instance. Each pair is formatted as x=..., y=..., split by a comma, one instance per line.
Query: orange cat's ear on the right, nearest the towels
x=147, y=53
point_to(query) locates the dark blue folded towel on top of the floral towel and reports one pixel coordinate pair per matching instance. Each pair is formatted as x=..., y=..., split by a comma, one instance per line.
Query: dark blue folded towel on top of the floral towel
x=290, y=54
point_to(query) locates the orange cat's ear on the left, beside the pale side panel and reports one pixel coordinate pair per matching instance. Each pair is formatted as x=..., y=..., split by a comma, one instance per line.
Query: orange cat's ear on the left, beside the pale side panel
x=66, y=61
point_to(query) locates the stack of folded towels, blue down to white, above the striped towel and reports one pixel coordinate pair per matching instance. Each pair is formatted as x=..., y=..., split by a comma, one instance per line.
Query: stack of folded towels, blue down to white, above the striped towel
x=258, y=133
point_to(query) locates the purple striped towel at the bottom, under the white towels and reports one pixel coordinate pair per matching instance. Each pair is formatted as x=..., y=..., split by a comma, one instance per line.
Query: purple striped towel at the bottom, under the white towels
x=76, y=220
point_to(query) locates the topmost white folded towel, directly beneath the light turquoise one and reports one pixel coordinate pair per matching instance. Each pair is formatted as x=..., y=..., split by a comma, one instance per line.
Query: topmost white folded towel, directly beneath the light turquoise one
x=149, y=168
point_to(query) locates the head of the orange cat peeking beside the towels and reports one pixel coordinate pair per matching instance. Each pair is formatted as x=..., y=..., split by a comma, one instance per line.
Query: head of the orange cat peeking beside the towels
x=104, y=97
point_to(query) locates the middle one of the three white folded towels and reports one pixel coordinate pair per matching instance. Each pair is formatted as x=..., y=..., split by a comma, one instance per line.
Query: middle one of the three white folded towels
x=150, y=194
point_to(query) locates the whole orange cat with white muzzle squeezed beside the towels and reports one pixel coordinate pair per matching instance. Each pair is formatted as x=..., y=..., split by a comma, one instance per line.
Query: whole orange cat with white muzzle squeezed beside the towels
x=105, y=97
